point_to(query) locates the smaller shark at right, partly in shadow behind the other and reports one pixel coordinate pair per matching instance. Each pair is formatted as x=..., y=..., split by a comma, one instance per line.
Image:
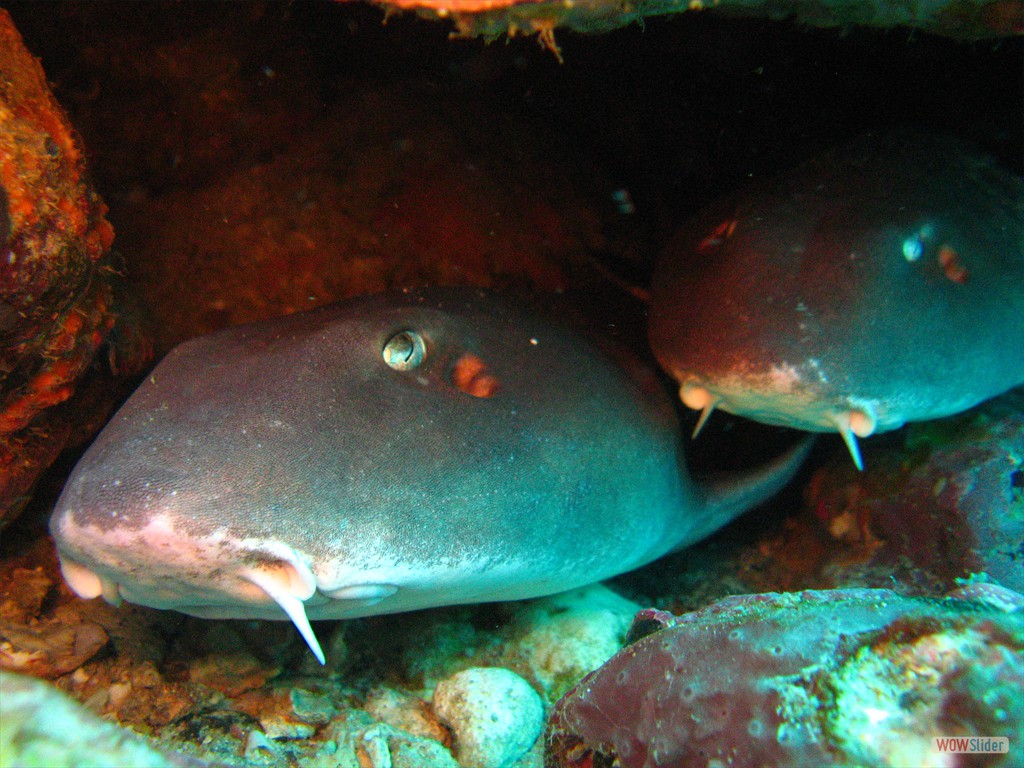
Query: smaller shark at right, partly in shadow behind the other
x=879, y=284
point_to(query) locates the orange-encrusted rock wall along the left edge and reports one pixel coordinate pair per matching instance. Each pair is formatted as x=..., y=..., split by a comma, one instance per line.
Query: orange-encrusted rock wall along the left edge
x=56, y=293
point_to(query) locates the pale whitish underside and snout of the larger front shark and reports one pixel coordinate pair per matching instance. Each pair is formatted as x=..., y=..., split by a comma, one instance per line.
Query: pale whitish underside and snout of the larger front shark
x=221, y=577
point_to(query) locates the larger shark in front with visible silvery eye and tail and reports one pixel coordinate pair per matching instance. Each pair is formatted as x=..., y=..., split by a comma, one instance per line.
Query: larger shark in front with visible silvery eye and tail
x=388, y=454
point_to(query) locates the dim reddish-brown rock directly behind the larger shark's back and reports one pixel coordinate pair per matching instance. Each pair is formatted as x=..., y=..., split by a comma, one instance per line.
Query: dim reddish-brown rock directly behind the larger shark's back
x=393, y=210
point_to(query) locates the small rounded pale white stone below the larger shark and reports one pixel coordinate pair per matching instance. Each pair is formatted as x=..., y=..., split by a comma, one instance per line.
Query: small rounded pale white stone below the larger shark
x=494, y=714
